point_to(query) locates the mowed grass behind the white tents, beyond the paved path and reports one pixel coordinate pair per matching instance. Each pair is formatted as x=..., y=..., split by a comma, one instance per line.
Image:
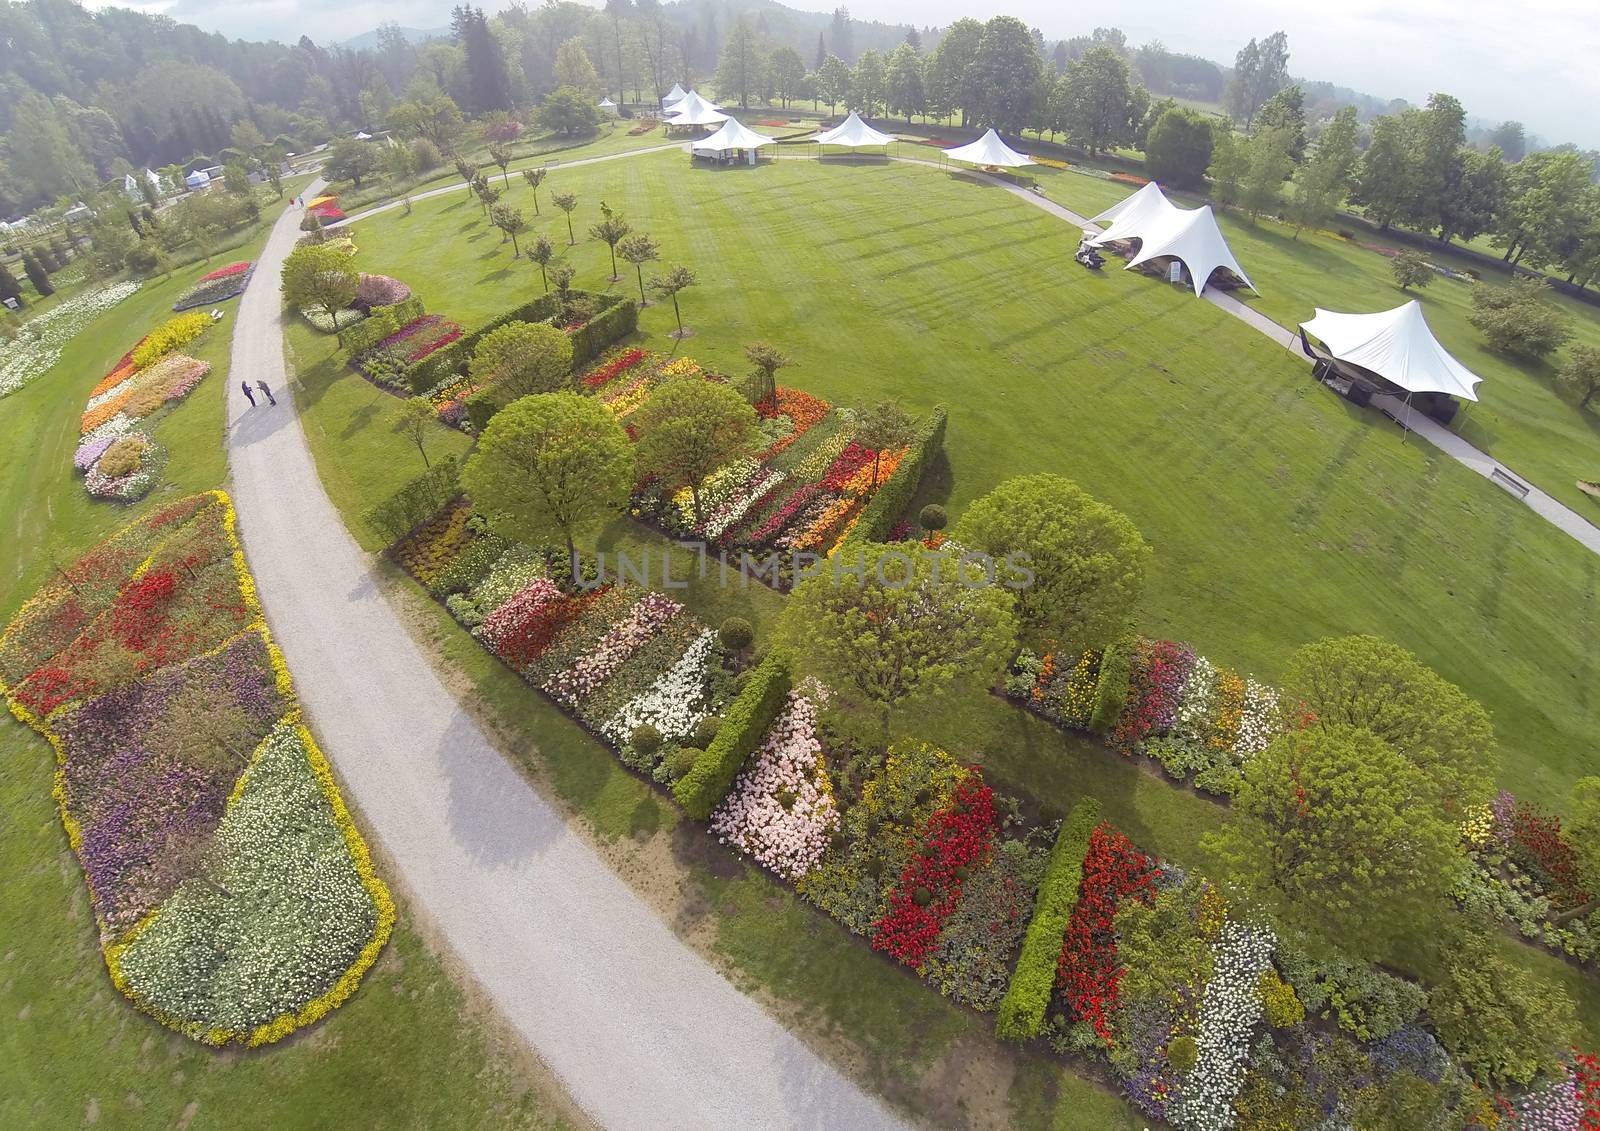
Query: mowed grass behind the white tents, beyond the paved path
x=1522, y=417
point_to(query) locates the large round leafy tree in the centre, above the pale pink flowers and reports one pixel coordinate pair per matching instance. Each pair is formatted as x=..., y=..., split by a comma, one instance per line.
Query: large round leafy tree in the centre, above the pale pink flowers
x=895, y=629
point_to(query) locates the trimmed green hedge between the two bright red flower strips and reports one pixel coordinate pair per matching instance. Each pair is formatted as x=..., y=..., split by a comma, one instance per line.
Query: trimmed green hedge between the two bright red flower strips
x=1034, y=980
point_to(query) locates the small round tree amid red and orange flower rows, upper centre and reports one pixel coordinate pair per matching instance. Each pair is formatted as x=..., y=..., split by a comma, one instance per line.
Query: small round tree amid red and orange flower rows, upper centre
x=689, y=428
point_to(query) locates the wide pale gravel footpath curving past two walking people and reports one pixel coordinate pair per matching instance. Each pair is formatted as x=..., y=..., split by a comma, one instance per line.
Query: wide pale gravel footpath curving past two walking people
x=638, y=1026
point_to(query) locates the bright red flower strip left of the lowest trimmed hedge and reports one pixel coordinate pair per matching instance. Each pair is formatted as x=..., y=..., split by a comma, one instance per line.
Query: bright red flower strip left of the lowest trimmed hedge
x=930, y=887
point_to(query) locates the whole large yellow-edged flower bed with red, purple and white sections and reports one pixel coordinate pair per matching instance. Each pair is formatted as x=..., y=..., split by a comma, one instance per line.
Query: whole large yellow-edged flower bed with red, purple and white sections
x=234, y=897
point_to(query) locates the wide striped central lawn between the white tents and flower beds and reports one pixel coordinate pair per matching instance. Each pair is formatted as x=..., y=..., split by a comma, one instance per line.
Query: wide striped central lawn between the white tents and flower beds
x=1278, y=513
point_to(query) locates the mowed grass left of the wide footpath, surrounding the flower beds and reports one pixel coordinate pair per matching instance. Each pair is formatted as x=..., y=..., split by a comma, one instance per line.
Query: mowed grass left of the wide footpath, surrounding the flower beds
x=407, y=1052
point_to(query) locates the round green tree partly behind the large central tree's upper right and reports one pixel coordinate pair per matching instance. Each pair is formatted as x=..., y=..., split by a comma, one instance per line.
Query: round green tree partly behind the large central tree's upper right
x=1087, y=559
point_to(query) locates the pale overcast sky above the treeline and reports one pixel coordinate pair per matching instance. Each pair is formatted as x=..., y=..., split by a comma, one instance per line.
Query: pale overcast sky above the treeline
x=1535, y=60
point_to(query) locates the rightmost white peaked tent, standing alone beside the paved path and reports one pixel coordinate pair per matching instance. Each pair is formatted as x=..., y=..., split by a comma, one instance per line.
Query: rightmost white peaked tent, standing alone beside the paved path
x=1398, y=346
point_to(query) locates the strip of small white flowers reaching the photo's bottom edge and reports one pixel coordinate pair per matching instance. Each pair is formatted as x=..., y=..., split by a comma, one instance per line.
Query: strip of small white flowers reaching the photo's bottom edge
x=1228, y=1012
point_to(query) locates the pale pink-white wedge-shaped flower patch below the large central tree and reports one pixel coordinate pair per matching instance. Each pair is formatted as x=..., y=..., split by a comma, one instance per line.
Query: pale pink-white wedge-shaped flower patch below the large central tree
x=782, y=810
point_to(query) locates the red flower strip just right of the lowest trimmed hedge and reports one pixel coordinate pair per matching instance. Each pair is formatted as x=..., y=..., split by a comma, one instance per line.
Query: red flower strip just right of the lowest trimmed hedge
x=1087, y=972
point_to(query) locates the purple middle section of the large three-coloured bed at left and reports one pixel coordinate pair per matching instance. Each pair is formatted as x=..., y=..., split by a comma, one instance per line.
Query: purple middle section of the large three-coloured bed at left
x=148, y=770
